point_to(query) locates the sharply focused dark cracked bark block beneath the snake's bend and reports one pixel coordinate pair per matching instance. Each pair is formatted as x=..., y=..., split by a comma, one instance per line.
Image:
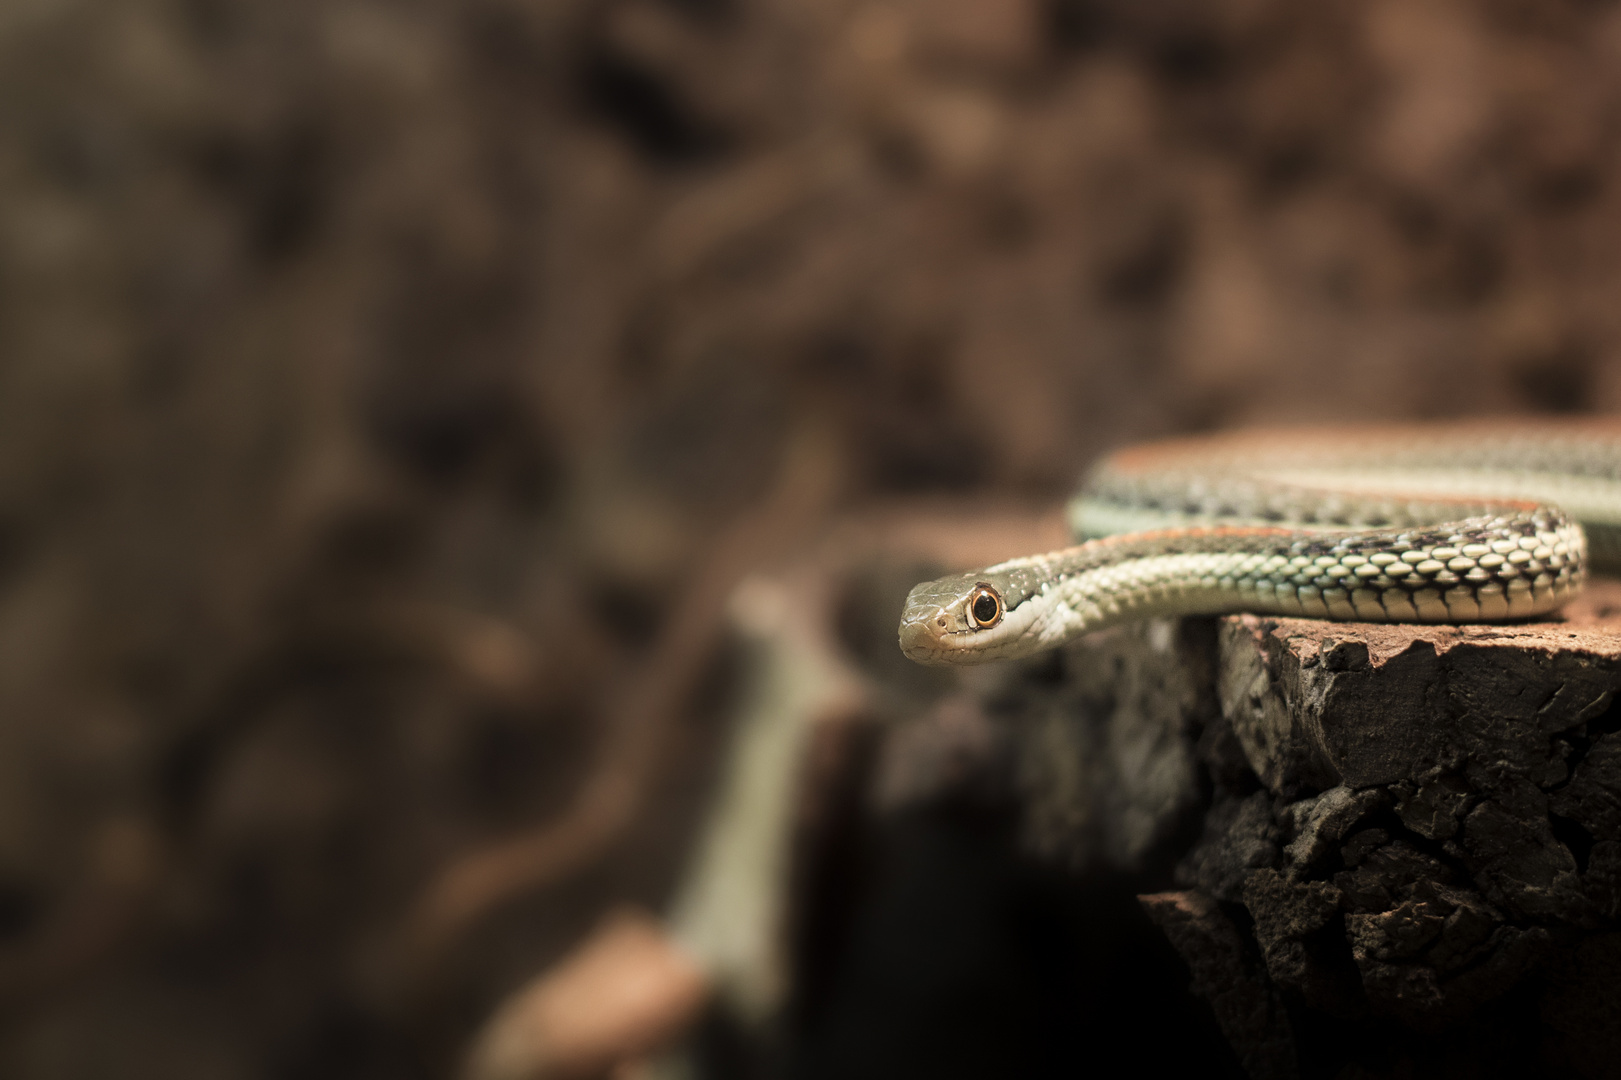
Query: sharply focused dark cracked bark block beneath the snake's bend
x=1429, y=823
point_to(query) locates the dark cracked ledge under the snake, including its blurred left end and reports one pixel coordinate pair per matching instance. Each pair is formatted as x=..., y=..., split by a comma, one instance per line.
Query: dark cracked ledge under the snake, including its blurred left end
x=1408, y=839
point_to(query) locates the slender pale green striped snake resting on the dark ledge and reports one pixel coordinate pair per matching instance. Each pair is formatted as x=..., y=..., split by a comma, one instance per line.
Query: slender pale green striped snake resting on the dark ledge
x=1440, y=523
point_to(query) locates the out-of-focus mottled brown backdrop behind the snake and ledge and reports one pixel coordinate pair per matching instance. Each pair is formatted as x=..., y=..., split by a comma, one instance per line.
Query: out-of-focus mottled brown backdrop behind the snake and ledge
x=380, y=382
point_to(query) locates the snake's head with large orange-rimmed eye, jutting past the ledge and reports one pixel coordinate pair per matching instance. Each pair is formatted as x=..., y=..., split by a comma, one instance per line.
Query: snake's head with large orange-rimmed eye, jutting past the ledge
x=967, y=619
